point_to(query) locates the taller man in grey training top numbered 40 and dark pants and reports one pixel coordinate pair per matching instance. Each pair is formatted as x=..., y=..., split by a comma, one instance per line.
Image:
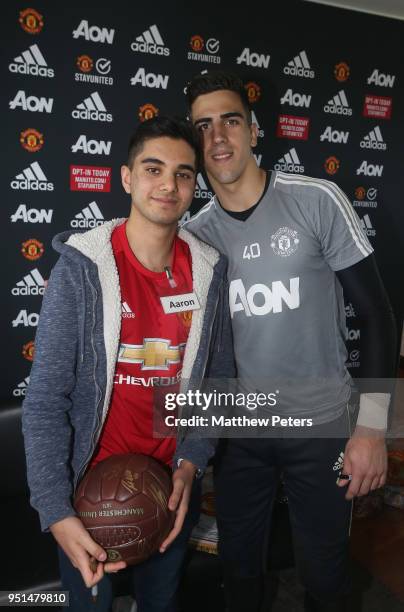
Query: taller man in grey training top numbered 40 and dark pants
x=295, y=245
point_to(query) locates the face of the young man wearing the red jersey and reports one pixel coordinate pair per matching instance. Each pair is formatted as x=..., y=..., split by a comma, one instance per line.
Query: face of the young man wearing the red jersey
x=161, y=180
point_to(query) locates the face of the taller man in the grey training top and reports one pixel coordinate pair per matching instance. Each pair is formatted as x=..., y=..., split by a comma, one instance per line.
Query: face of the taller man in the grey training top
x=227, y=137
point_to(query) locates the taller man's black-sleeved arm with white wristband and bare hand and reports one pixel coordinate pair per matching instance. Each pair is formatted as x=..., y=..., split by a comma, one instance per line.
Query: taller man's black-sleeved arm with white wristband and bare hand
x=365, y=453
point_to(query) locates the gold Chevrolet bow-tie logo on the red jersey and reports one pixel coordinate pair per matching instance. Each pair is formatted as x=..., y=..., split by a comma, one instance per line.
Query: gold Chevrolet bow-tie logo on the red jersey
x=153, y=354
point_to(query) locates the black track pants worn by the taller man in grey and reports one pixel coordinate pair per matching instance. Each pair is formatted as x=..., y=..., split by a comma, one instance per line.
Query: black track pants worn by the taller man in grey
x=247, y=473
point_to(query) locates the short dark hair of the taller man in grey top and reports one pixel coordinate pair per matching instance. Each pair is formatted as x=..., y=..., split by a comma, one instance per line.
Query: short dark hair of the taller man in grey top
x=216, y=80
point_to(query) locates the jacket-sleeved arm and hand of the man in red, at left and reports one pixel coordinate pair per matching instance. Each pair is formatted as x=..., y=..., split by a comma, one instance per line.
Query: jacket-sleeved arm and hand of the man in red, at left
x=47, y=430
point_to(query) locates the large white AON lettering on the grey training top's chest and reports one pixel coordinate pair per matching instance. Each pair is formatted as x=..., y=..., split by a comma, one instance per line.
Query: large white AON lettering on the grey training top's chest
x=260, y=299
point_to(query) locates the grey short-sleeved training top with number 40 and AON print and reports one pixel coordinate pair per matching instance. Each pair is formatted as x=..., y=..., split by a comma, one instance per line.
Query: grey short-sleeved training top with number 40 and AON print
x=286, y=302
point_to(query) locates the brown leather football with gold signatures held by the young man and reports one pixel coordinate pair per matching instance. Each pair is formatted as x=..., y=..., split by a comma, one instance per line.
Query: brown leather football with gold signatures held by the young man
x=122, y=502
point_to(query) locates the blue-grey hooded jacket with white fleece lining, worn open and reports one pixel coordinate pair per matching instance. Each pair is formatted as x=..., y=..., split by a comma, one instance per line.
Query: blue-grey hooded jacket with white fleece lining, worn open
x=75, y=355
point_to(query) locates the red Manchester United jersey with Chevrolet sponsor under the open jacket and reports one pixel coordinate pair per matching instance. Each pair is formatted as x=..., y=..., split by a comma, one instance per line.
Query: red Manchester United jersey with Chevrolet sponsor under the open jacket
x=150, y=354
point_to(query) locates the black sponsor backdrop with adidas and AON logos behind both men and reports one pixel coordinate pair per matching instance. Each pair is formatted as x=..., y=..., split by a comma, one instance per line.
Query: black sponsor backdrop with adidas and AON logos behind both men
x=327, y=99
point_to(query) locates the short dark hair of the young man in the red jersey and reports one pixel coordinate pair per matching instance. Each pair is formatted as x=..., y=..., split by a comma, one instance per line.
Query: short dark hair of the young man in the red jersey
x=160, y=126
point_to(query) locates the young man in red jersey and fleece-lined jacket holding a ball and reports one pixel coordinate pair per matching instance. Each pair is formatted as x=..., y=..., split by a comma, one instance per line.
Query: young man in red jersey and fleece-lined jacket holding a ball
x=105, y=341
